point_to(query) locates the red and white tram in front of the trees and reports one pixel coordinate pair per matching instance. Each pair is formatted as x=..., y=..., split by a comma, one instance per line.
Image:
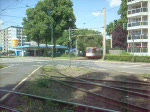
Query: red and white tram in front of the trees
x=93, y=53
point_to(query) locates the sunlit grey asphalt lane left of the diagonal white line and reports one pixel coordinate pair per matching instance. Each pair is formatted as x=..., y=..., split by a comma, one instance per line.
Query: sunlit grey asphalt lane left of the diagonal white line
x=14, y=73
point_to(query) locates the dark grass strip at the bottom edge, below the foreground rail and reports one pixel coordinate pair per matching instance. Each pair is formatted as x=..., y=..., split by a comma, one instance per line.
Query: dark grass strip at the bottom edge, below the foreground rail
x=32, y=105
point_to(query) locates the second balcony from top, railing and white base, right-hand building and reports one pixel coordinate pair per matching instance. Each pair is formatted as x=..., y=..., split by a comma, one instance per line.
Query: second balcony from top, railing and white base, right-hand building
x=138, y=25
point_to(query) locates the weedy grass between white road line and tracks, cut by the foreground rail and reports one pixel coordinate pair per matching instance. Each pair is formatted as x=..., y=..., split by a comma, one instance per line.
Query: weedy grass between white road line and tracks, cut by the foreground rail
x=42, y=85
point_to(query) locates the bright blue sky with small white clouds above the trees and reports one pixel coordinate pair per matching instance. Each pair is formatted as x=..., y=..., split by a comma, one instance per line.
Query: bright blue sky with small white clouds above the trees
x=89, y=13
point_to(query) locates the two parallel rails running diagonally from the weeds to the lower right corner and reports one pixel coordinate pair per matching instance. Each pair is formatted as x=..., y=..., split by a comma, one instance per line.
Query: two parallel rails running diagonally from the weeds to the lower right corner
x=121, y=103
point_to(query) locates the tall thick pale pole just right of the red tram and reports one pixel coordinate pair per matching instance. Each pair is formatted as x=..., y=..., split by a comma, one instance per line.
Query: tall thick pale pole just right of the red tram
x=104, y=36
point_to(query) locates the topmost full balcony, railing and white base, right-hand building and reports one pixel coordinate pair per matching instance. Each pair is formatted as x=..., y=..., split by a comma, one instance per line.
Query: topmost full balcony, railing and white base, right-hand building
x=138, y=11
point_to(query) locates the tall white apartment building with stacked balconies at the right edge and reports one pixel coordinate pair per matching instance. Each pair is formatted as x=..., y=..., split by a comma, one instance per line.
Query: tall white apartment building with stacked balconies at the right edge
x=138, y=27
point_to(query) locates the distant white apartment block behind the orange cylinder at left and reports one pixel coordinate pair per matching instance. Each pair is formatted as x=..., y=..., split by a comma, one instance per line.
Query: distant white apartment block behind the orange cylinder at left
x=6, y=36
